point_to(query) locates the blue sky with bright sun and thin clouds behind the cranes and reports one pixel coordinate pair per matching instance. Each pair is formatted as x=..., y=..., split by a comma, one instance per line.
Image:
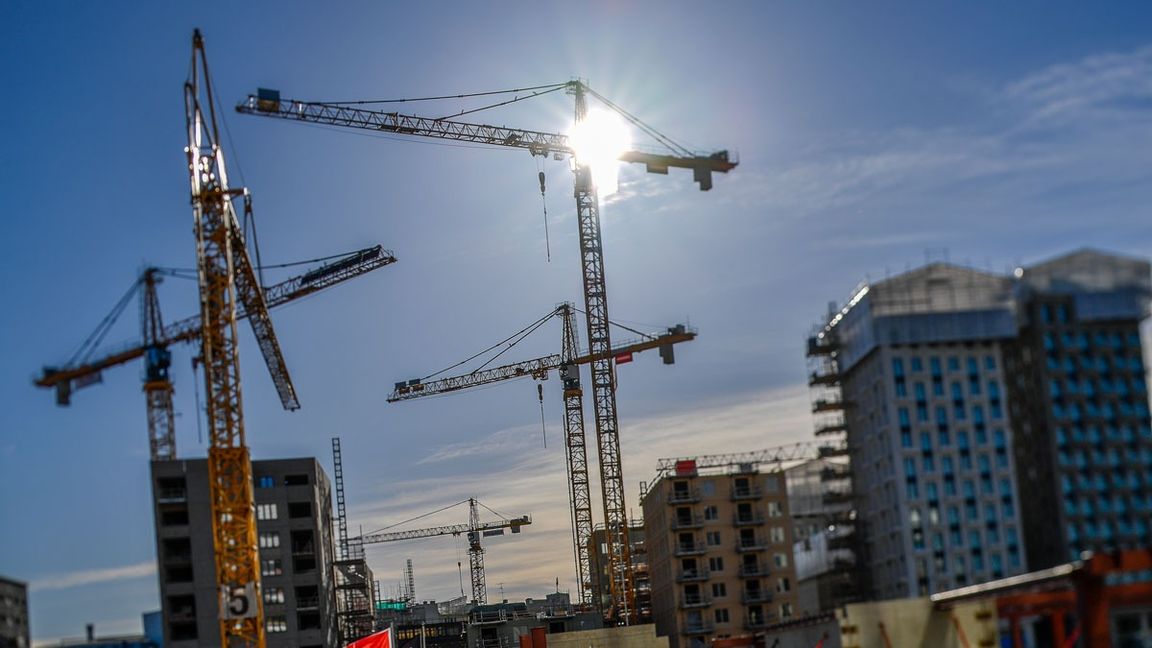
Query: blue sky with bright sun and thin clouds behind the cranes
x=871, y=137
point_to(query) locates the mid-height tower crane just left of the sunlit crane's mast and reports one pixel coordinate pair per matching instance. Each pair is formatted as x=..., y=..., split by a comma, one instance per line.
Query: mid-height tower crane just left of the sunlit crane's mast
x=567, y=364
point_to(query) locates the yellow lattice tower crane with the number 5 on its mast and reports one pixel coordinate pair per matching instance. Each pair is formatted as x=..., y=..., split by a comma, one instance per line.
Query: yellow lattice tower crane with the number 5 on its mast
x=226, y=276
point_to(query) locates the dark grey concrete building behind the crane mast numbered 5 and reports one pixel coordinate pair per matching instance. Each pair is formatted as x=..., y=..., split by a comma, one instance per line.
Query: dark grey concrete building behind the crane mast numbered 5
x=294, y=529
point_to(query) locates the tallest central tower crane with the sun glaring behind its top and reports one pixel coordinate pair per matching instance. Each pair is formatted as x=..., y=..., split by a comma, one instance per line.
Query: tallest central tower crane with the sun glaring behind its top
x=268, y=103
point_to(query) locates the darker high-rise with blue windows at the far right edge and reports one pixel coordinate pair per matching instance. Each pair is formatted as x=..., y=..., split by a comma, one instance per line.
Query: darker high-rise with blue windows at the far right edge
x=1079, y=397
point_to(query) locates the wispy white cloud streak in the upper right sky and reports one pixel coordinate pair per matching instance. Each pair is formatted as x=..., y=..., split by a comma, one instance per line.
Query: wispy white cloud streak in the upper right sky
x=1081, y=125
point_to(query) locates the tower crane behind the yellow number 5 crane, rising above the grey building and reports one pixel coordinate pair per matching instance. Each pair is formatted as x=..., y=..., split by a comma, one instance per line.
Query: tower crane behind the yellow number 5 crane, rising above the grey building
x=84, y=370
